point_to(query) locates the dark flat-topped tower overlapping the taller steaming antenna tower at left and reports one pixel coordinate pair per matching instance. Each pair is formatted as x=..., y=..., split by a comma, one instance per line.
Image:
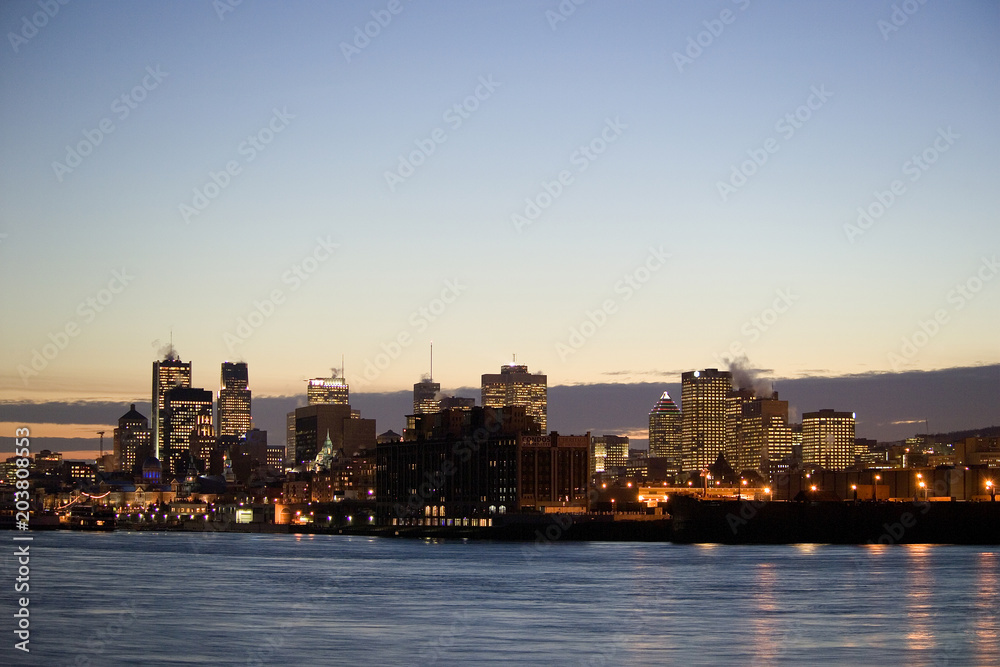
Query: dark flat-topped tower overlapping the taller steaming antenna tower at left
x=187, y=423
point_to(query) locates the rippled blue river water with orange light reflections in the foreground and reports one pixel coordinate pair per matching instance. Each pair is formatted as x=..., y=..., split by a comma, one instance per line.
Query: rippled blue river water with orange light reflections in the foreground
x=177, y=599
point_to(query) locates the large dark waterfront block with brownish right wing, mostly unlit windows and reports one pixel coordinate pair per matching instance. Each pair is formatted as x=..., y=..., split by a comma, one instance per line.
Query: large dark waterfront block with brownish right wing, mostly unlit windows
x=464, y=467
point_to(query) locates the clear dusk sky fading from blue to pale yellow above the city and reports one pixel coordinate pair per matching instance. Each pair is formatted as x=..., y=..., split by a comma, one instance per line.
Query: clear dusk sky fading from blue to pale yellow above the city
x=616, y=195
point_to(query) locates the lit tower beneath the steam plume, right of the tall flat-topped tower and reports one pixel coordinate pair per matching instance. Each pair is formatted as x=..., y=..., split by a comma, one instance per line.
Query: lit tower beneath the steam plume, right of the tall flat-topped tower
x=765, y=438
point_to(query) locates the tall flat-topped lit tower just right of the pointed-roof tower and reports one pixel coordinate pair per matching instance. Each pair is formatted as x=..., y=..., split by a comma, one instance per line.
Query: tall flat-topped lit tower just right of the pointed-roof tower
x=703, y=416
